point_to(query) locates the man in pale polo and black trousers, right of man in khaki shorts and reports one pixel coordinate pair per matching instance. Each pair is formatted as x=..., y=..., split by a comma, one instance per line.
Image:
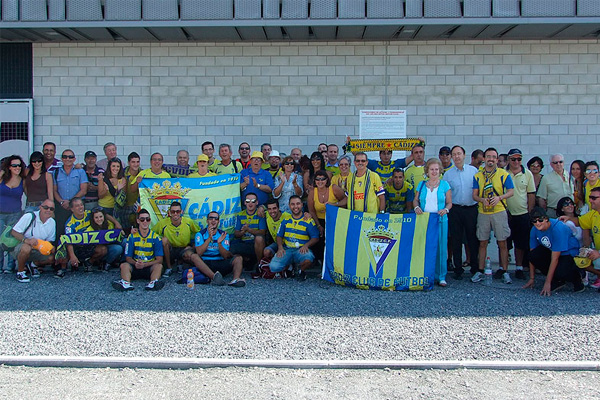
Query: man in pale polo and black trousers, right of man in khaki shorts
x=519, y=206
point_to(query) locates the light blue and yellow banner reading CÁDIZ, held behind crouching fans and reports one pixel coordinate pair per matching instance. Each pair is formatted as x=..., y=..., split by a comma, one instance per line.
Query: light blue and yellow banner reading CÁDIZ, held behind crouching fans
x=198, y=197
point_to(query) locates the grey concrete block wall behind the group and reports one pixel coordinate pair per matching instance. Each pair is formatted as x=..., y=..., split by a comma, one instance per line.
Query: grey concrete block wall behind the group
x=540, y=96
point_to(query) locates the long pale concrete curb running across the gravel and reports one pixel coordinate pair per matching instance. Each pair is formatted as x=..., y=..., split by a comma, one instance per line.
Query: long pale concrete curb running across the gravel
x=188, y=363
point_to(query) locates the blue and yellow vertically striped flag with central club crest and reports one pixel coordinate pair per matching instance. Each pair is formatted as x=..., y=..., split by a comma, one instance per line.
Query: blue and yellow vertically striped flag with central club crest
x=380, y=251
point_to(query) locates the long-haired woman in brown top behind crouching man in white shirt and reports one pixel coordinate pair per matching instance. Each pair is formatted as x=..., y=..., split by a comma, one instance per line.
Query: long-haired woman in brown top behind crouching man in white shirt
x=38, y=183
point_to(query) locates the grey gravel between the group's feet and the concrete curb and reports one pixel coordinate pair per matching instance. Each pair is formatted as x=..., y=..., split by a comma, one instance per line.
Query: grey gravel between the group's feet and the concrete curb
x=82, y=315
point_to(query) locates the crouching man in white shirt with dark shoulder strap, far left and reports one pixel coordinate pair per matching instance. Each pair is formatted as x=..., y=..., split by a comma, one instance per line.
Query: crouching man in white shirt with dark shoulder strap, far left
x=29, y=232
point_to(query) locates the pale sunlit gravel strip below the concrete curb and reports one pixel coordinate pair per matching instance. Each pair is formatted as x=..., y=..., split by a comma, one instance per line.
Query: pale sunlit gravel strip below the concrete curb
x=254, y=383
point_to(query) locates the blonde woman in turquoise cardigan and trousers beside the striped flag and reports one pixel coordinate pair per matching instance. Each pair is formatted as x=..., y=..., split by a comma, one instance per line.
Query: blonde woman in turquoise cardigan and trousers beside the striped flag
x=435, y=196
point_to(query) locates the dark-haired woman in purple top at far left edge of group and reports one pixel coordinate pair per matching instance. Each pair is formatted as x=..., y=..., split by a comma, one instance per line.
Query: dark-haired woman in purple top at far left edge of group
x=11, y=192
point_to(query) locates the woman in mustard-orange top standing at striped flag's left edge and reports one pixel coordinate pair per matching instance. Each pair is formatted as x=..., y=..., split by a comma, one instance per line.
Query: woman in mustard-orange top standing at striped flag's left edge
x=318, y=197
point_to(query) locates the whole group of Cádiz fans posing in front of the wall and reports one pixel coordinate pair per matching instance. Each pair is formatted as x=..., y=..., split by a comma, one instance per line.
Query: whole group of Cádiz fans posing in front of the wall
x=284, y=200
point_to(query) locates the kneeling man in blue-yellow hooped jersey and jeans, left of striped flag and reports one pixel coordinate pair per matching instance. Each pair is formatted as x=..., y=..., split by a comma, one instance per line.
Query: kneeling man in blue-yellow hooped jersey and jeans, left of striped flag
x=295, y=237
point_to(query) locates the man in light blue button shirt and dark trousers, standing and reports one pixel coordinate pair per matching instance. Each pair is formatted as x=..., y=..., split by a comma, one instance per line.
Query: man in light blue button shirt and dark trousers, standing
x=462, y=220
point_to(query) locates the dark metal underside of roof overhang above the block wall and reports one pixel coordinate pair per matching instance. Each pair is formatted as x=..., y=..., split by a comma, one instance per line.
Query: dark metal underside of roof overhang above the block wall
x=303, y=30
